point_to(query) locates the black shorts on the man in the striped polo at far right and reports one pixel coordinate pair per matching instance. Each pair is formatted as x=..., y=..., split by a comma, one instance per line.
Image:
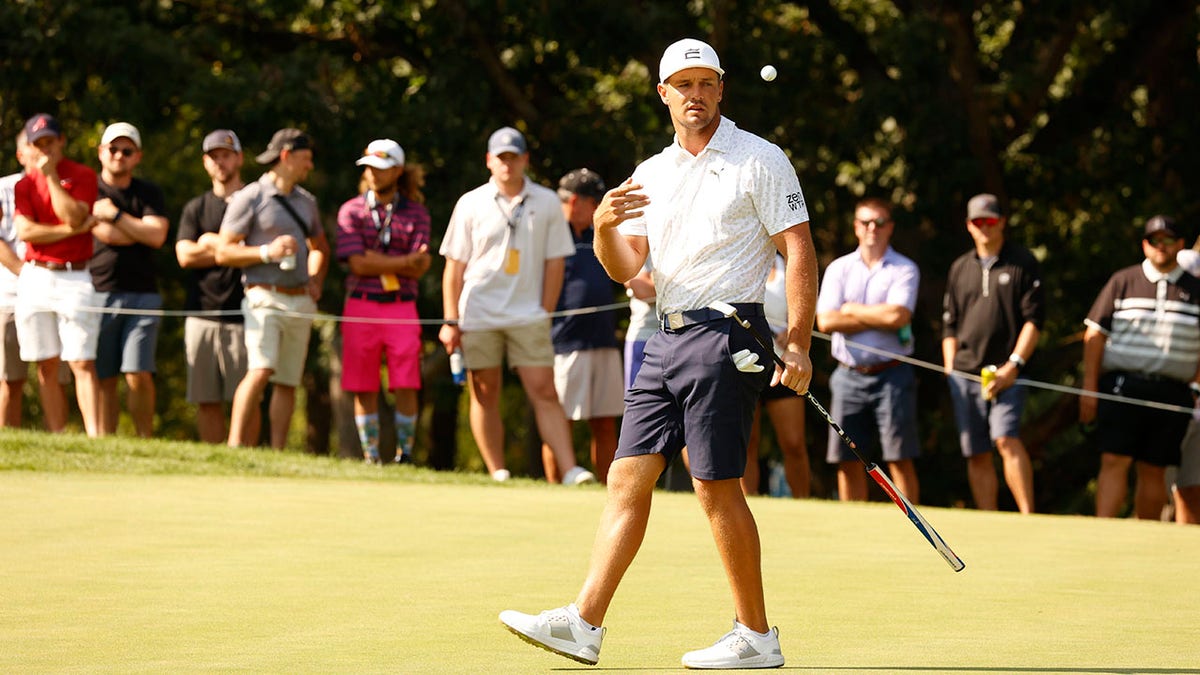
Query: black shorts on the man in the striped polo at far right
x=1142, y=433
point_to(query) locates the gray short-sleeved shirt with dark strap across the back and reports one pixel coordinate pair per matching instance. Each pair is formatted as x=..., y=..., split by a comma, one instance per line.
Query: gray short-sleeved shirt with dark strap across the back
x=256, y=213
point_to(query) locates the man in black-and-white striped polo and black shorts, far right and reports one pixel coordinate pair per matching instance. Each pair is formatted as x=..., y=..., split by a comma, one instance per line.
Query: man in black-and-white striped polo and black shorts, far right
x=1142, y=343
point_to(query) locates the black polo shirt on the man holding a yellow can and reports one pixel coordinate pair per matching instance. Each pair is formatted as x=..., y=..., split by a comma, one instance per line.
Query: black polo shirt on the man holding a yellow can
x=986, y=309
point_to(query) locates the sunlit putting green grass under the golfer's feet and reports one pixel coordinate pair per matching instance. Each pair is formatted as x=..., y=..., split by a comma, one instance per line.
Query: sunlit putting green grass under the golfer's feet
x=130, y=557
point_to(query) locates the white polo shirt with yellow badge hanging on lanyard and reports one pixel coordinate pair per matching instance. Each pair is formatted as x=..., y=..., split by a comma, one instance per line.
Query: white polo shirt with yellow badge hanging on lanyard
x=506, y=247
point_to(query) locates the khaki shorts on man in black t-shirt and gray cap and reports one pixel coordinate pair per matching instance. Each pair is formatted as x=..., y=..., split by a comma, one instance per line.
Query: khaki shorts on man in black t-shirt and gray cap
x=217, y=360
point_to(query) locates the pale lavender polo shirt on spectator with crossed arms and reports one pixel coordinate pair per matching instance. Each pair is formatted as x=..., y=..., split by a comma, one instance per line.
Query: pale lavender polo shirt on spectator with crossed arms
x=892, y=282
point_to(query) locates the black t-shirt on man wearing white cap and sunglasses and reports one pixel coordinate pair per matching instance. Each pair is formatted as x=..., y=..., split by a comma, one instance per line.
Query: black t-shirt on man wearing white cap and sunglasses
x=129, y=268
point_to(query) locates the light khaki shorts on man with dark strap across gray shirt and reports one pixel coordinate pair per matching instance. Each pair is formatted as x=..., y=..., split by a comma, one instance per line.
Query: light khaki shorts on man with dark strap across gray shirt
x=277, y=339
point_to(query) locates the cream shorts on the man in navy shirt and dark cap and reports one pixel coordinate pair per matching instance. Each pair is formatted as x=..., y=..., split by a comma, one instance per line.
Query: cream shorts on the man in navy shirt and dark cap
x=590, y=384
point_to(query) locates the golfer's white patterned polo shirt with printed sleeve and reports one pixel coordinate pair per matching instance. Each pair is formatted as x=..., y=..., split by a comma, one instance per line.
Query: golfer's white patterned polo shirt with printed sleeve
x=711, y=218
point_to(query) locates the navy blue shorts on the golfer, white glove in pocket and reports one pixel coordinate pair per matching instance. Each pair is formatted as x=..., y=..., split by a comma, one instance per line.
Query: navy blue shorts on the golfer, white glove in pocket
x=689, y=393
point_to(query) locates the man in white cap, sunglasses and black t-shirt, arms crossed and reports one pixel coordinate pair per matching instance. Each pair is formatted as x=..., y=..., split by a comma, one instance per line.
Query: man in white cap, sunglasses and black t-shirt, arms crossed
x=131, y=229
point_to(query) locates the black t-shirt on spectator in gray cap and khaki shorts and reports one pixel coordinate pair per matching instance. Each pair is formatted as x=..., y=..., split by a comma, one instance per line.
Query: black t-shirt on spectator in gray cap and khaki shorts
x=217, y=288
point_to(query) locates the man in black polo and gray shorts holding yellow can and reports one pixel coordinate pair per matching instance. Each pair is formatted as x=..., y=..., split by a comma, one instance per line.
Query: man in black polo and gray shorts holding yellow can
x=992, y=316
